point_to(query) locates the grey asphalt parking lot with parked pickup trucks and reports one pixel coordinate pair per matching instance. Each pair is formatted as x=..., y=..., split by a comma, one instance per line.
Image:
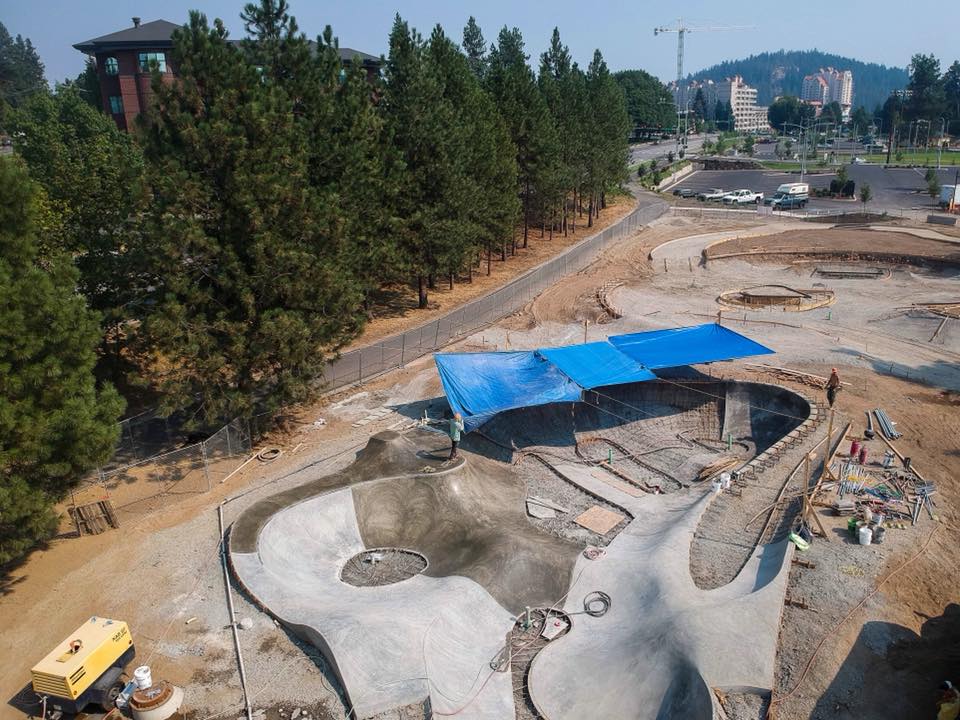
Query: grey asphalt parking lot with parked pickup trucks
x=894, y=189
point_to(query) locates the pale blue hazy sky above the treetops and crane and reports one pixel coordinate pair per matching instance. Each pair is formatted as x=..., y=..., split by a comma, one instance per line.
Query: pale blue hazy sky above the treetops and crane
x=874, y=32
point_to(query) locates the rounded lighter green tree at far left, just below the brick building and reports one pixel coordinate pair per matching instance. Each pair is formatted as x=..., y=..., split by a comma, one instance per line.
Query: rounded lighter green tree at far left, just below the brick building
x=91, y=172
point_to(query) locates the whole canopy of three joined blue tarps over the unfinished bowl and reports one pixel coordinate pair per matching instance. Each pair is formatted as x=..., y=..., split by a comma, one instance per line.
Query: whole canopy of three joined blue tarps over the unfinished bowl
x=480, y=385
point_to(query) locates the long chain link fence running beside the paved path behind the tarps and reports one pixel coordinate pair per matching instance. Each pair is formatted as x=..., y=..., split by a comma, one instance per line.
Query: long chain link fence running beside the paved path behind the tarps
x=363, y=363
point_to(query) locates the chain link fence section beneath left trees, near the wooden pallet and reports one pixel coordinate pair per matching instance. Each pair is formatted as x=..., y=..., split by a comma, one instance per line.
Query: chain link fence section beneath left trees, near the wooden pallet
x=138, y=483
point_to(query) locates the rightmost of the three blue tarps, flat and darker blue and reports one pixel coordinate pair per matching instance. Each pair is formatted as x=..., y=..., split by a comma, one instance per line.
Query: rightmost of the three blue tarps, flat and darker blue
x=687, y=346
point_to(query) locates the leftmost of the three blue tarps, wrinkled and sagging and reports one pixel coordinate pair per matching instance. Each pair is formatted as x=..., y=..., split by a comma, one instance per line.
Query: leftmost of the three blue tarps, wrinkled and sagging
x=480, y=385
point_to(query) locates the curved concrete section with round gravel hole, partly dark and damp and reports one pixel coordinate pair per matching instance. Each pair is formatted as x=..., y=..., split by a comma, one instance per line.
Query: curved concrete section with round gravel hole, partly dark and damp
x=432, y=635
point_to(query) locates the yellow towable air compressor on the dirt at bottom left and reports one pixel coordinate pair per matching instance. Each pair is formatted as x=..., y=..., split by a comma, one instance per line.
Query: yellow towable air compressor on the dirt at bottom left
x=85, y=668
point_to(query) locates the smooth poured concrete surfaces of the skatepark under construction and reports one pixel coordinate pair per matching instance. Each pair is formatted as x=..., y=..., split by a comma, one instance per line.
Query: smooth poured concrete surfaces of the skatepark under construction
x=436, y=636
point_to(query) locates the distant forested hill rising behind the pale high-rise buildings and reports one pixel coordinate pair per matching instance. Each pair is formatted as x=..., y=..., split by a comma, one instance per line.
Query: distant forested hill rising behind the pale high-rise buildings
x=782, y=72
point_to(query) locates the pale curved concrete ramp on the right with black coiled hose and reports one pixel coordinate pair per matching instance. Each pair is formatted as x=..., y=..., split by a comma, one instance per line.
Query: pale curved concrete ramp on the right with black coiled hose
x=663, y=643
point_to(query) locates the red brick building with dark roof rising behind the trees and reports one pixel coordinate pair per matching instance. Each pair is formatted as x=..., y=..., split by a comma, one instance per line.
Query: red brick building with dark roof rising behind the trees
x=126, y=58
